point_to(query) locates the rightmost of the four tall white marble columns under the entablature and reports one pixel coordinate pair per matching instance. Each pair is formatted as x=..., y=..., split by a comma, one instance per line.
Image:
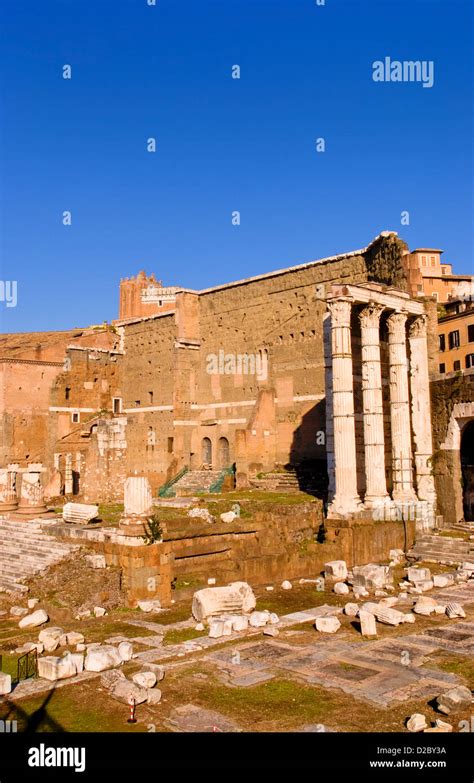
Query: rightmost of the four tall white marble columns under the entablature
x=421, y=409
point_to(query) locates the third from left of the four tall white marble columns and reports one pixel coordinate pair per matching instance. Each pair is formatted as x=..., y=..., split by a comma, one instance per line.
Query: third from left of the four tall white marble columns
x=402, y=460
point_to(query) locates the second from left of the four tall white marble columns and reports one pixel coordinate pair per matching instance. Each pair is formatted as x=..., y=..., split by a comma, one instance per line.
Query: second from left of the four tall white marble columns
x=374, y=441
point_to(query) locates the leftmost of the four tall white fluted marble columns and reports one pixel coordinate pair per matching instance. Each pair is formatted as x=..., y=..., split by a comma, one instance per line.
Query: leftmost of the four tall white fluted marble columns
x=346, y=499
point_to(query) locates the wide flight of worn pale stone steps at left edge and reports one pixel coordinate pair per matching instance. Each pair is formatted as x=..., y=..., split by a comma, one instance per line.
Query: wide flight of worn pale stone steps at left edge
x=26, y=550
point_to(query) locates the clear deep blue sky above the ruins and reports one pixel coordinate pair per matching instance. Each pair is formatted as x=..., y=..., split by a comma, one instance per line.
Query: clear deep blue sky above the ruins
x=222, y=144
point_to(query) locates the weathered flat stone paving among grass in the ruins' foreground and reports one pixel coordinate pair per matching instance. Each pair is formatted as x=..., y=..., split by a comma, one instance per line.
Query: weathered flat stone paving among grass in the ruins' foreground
x=381, y=672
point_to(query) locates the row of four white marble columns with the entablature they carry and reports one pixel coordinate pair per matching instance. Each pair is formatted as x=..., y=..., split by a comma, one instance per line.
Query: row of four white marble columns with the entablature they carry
x=407, y=407
